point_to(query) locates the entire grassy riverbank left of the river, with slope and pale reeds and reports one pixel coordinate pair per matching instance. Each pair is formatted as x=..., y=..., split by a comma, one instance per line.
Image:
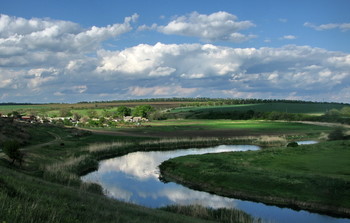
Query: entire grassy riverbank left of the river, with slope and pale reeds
x=47, y=188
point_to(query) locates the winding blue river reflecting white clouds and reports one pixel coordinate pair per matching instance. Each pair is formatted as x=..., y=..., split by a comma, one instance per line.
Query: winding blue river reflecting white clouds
x=134, y=178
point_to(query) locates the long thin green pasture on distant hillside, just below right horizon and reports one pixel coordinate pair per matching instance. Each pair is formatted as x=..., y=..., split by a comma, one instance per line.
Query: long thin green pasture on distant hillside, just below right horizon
x=302, y=108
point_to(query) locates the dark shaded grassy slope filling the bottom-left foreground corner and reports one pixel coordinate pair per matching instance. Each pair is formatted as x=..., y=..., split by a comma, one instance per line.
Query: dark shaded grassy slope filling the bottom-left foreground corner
x=25, y=198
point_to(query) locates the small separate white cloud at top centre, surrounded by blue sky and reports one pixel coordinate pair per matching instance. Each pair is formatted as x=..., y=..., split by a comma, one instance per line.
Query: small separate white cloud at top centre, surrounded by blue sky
x=219, y=26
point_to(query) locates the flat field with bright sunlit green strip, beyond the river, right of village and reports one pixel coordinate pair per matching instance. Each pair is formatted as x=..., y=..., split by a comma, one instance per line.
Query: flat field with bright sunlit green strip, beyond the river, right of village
x=223, y=128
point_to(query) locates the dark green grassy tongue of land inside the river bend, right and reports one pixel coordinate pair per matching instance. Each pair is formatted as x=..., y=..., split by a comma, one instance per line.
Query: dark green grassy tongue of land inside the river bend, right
x=313, y=177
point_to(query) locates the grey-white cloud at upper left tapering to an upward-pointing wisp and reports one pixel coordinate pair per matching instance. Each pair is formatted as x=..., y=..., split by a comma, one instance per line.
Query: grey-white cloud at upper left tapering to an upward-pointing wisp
x=45, y=38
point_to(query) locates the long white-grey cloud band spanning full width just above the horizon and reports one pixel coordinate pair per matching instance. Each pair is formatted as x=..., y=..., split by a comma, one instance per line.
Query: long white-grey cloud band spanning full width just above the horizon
x=189, y=70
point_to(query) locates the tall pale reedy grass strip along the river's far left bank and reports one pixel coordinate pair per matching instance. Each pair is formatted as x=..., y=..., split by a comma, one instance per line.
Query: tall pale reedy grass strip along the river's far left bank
x=69, y=171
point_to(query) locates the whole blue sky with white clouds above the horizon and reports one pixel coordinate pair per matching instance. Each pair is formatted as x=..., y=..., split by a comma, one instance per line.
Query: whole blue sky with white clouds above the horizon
x=69, y=51
